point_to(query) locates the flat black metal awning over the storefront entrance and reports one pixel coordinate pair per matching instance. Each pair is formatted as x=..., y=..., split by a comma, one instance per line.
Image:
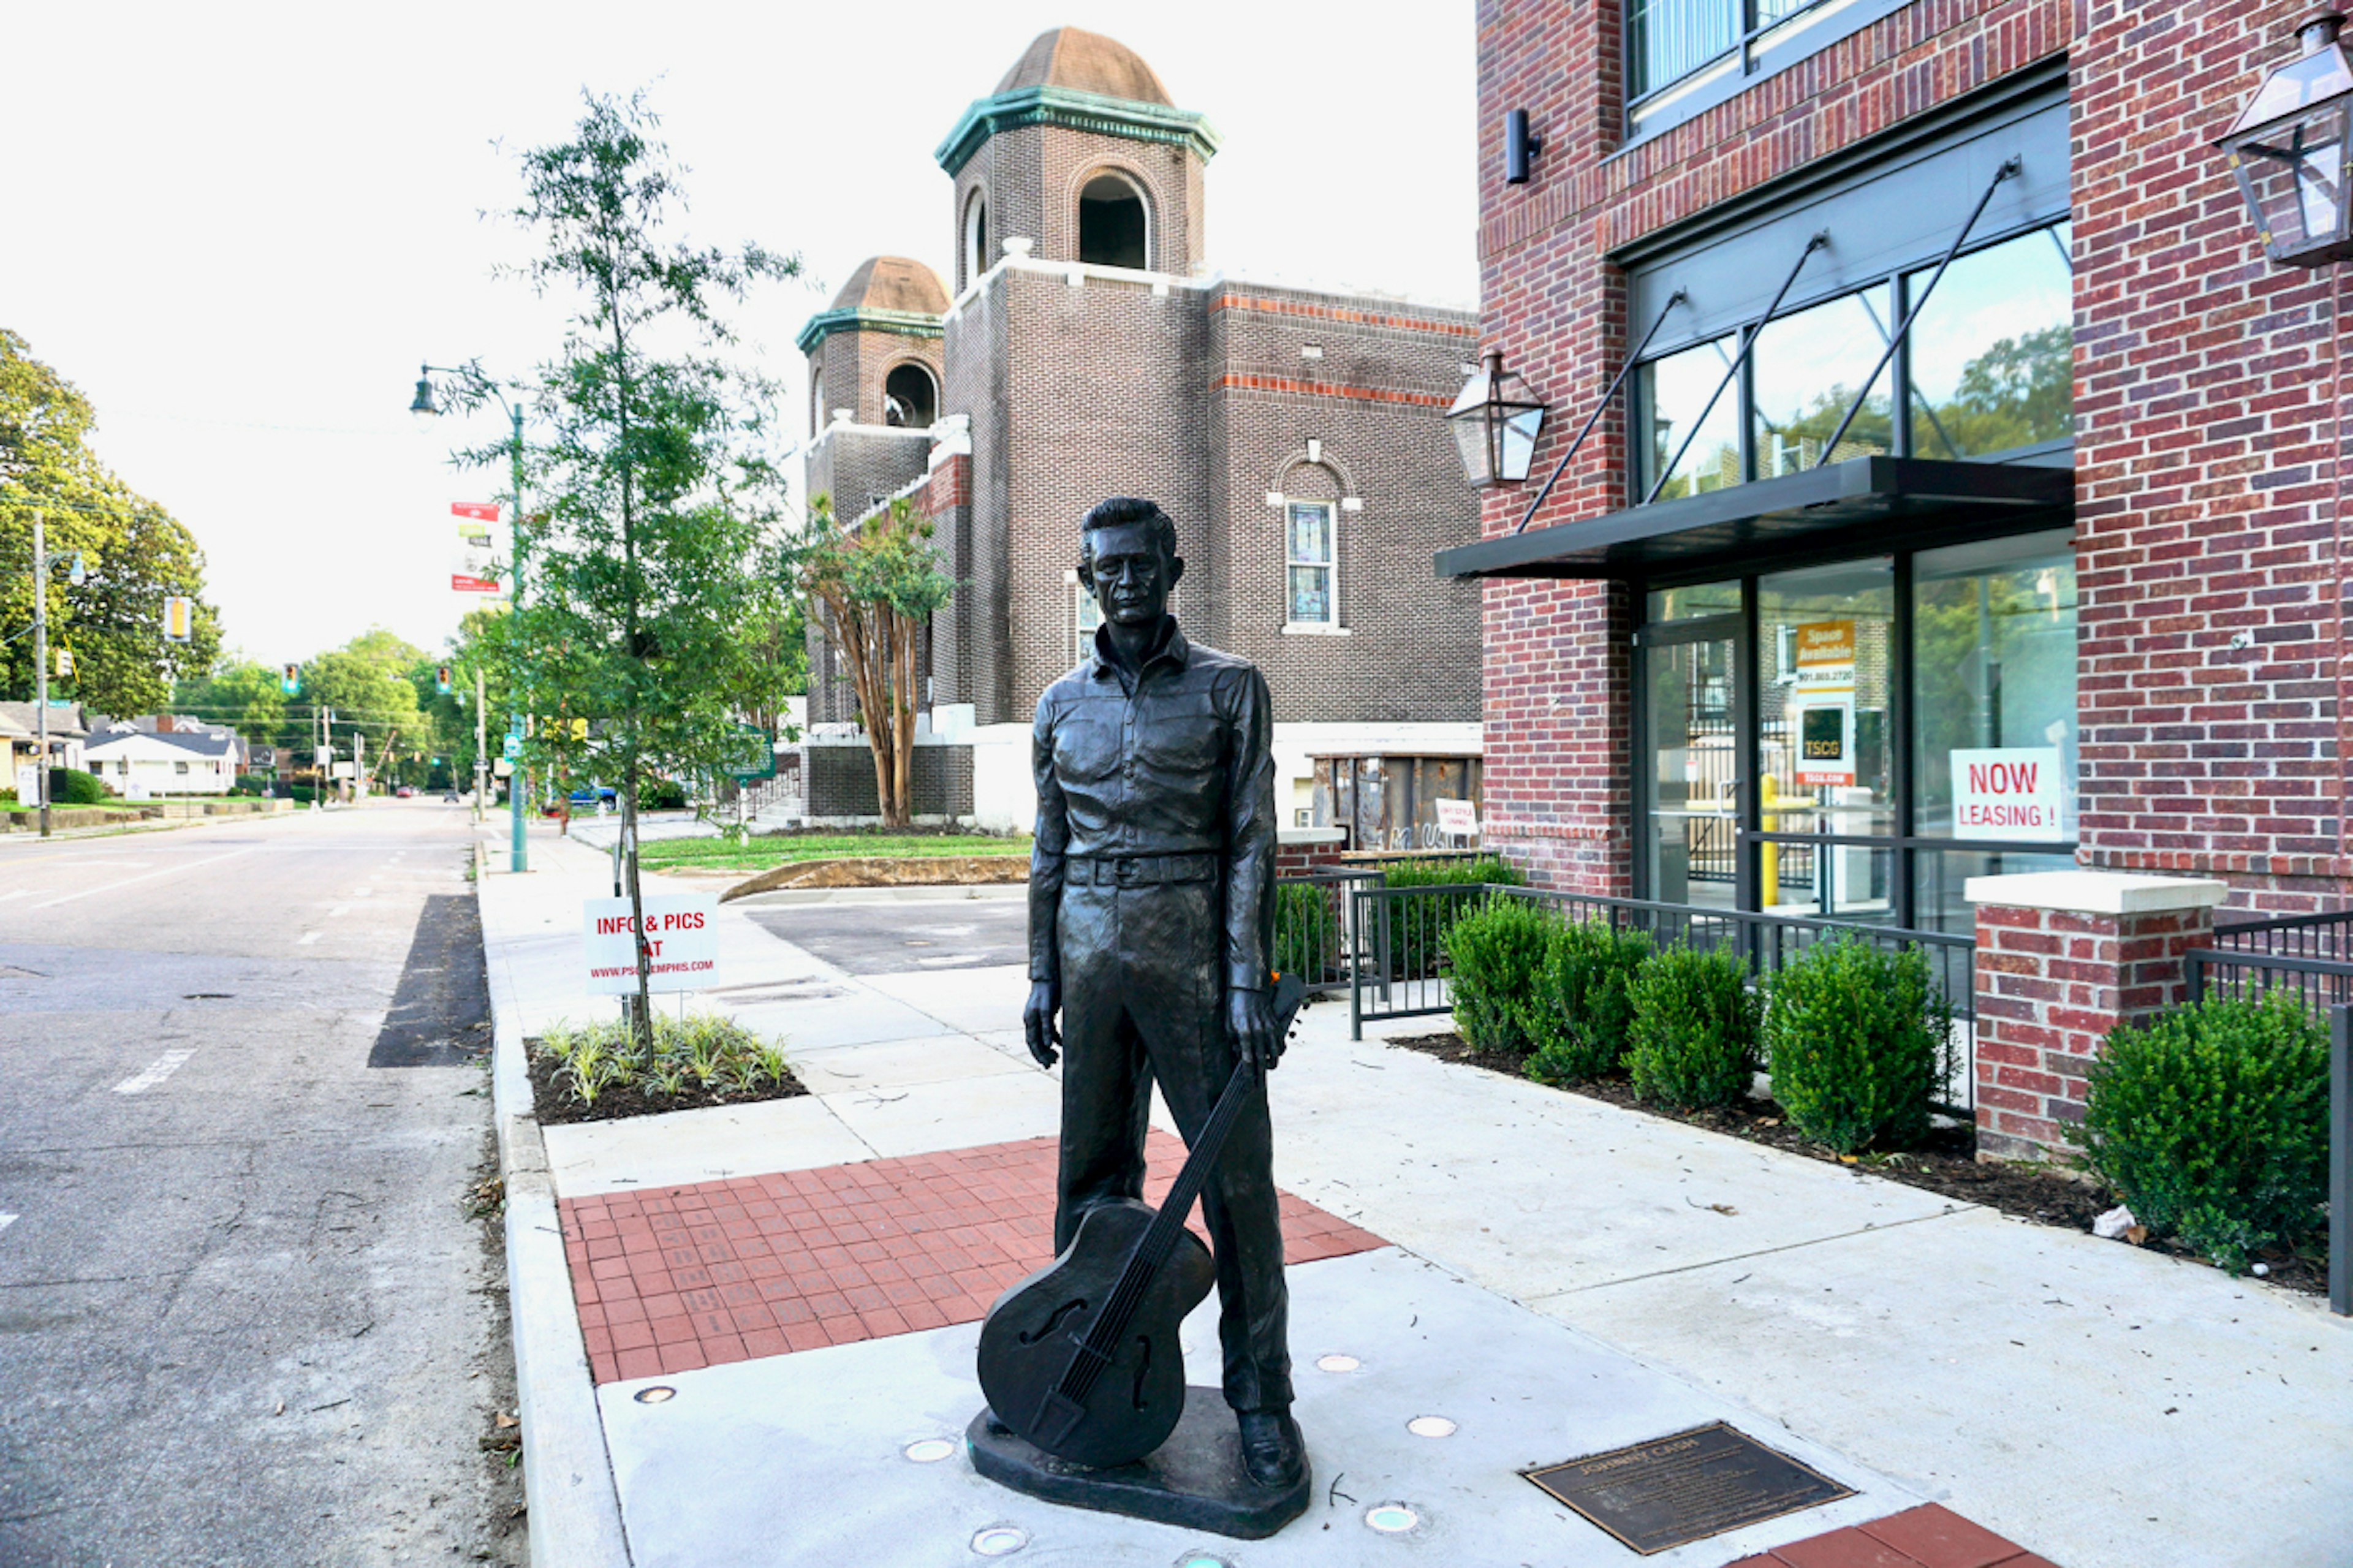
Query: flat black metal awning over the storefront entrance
x=1834, y=505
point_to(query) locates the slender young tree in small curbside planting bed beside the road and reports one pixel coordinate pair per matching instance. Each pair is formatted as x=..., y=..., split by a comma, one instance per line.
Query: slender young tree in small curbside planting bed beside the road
x=651, y=472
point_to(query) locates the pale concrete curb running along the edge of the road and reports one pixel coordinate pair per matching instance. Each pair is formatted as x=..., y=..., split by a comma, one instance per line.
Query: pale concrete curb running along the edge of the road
x=575, y=1513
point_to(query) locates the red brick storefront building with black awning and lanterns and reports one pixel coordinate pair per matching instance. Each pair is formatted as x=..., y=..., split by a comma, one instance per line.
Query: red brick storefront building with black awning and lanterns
x=1966, y=489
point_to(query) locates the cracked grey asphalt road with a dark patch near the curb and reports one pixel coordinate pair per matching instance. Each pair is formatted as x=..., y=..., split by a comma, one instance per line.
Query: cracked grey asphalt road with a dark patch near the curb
x=244, y=1315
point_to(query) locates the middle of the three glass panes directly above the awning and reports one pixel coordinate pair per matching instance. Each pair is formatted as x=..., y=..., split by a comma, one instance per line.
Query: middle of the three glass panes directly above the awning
x=1808, y=368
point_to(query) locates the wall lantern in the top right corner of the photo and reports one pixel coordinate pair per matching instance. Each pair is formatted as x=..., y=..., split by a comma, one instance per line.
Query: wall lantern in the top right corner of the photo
x=2293, y=154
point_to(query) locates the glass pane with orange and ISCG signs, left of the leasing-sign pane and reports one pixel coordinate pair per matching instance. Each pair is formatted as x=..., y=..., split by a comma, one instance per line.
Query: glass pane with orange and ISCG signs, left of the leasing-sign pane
x=1825, y=675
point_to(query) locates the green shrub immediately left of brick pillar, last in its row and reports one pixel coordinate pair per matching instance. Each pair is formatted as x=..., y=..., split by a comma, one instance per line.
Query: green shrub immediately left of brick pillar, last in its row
x=1855, y=1037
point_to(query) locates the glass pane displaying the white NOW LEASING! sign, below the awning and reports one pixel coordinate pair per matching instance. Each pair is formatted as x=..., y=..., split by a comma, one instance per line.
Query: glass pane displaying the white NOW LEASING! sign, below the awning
x=1994, y=691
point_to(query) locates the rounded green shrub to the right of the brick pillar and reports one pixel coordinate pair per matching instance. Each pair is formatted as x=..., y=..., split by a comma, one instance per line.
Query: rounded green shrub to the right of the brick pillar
x=2213, y=1124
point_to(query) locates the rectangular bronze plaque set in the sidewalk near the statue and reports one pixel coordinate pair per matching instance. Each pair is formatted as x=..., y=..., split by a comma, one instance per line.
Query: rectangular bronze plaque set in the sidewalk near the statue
x=1688, y=1487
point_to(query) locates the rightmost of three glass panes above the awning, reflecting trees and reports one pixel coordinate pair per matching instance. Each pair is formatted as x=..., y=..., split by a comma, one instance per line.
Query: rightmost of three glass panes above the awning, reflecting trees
x=1992, y=357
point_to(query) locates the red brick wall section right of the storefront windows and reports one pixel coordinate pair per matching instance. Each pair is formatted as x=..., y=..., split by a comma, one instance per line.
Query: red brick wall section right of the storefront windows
x=2211, y=491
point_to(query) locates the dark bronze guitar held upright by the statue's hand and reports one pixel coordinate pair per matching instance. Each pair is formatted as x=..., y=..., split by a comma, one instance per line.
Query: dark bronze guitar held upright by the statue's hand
x=1084, y=1357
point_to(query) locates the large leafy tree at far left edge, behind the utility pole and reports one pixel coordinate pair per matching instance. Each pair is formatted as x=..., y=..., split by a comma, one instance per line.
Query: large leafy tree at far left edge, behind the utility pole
x=135, y=554
